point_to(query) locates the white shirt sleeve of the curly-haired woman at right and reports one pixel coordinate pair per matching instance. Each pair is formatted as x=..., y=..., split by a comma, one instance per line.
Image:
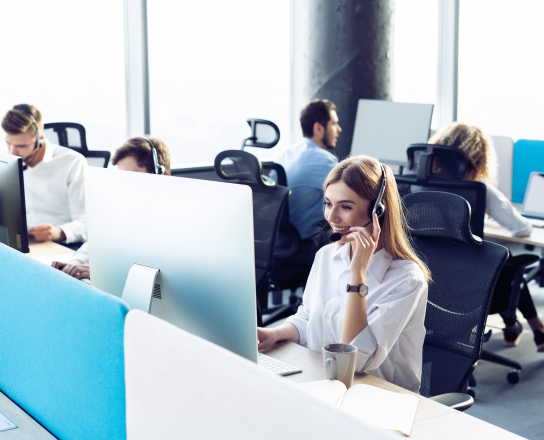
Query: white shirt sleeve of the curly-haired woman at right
x=500, y=208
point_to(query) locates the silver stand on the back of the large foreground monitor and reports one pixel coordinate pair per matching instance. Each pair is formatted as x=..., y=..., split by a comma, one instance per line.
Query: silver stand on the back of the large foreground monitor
x=139, y=287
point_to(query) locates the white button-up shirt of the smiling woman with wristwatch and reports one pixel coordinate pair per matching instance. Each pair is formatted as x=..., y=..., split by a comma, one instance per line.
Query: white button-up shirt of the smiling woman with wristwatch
x=391, y=345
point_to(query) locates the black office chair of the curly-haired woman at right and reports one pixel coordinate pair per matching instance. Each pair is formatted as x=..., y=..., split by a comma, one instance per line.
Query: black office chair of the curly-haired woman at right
x=446, y=174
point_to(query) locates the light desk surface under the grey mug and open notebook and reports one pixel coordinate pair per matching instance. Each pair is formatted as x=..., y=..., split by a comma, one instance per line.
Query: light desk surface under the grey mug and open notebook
x=433, y=420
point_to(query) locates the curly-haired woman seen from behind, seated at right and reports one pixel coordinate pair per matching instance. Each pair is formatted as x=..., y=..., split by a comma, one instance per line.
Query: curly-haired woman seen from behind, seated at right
x=482, y=166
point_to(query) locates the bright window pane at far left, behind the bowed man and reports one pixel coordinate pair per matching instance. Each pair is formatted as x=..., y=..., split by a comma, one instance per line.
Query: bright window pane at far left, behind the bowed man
x=67, y=59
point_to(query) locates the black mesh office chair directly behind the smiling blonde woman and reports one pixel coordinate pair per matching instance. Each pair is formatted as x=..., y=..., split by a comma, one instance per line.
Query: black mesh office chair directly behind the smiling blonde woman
x=464, y=270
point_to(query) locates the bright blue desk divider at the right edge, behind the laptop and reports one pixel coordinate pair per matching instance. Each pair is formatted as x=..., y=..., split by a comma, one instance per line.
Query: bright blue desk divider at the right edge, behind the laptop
x=528, y=157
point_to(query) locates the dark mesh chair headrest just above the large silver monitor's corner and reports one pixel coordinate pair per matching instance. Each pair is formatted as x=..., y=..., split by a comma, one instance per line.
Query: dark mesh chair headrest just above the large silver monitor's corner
x=243, y=166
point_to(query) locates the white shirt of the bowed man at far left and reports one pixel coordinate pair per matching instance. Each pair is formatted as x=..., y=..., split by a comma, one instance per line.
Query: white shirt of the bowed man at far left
x=55, y=193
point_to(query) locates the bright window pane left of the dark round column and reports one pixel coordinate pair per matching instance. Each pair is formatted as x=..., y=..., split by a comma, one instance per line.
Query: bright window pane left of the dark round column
x=212, y=65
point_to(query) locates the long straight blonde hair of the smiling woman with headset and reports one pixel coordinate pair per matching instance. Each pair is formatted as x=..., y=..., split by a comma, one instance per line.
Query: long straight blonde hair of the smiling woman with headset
x=364, y=176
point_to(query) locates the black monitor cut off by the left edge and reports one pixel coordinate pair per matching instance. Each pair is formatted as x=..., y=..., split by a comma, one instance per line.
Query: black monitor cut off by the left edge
x=13, y=227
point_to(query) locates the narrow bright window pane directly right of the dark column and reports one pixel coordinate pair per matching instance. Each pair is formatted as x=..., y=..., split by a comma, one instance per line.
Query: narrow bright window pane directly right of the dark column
x=415, y=51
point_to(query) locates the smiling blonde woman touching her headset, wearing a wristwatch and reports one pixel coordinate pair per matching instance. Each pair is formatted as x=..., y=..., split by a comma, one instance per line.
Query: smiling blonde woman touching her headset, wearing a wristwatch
x=386, y=324
